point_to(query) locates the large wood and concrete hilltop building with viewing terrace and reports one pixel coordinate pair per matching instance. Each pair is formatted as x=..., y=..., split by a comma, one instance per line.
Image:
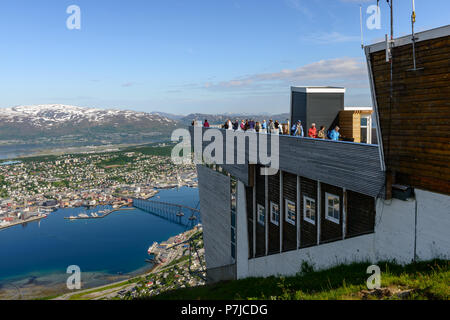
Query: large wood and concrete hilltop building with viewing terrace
x=324, y=202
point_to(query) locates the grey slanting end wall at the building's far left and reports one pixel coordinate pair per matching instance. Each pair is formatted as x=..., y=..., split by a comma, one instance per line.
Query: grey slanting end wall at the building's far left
x=215, y=208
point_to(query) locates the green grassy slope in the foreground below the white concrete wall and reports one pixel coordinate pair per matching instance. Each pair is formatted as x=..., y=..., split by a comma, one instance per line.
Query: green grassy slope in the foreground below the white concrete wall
x=429, y=280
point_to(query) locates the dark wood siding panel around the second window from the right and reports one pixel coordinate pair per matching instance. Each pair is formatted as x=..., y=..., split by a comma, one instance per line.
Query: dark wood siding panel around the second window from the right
x=308, y=231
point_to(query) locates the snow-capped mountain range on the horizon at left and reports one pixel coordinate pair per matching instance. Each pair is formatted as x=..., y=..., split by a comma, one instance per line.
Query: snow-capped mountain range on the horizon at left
x=58, y=121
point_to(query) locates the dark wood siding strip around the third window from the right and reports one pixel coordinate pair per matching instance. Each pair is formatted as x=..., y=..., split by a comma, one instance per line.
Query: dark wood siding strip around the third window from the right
x=289, y=193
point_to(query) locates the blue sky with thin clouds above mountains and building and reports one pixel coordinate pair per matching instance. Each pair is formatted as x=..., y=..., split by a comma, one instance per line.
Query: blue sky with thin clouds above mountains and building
x=182, y=56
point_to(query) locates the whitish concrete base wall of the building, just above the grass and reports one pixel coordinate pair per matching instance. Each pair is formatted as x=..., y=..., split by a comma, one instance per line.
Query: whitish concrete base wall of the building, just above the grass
x=394, y=239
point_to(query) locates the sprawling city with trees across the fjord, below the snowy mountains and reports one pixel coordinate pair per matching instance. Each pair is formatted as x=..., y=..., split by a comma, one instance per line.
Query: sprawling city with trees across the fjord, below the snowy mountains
x=31, y=188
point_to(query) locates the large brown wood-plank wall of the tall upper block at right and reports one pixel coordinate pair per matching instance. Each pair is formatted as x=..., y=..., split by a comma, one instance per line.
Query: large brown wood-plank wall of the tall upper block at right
x=415, y=124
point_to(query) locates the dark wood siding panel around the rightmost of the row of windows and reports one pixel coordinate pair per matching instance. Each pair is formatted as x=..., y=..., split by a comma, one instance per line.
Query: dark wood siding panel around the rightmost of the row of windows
x=329, y=230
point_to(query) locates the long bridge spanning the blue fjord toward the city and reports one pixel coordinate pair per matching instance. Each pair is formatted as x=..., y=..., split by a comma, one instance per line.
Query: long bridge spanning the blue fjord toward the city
x=176, y=213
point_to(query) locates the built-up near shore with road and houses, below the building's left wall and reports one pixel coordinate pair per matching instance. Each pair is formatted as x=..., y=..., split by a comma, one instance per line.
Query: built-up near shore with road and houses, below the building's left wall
x=179, y=262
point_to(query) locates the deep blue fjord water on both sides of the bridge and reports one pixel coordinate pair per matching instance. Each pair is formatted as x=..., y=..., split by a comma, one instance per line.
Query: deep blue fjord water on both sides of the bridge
x=114, y=245
